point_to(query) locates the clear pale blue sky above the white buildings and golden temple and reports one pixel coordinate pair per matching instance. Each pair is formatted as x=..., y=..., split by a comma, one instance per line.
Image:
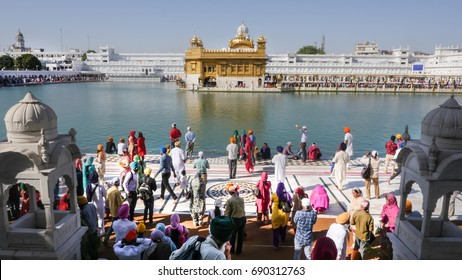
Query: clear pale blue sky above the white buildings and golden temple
x=166, y=26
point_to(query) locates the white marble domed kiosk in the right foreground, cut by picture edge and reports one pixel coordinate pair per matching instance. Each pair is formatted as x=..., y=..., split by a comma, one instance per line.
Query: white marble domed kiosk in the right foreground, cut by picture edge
x=433, y=164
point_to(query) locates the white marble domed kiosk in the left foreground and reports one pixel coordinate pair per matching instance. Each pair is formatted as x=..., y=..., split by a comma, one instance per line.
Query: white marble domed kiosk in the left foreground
x=35, y=155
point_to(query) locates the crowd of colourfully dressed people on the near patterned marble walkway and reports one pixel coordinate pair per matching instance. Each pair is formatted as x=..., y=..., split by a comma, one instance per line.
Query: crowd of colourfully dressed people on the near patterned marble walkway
x=115, y=200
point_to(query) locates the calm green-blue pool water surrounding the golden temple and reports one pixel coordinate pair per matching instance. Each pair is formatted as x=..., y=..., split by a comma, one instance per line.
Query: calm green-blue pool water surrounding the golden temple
x=101, y=109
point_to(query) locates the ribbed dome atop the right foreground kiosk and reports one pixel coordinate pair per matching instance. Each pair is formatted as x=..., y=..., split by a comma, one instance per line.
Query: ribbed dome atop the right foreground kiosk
x=444, y=122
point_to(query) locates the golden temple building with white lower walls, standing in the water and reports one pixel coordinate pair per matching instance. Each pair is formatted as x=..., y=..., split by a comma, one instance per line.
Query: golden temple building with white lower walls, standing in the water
x=240, y=66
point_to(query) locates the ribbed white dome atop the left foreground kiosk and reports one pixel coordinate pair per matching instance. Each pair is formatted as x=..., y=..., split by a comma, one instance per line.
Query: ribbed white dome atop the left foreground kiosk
x=25, y=120
